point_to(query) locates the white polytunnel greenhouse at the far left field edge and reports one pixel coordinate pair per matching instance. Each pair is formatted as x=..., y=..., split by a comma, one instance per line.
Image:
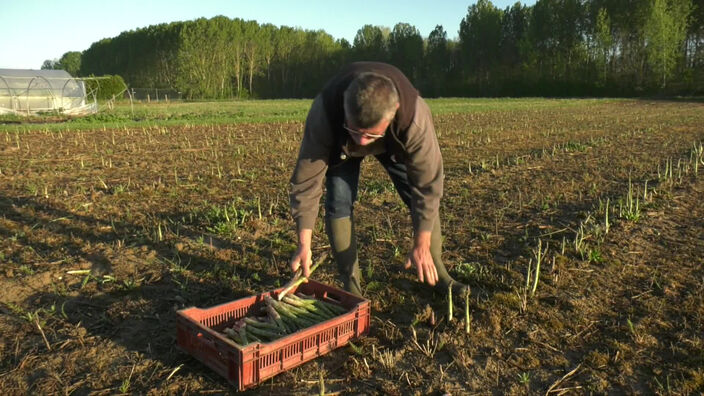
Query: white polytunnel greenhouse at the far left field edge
x=30, y=92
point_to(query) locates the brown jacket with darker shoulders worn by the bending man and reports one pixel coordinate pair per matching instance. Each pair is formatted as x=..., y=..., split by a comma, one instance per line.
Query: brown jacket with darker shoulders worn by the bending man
x=410, y=139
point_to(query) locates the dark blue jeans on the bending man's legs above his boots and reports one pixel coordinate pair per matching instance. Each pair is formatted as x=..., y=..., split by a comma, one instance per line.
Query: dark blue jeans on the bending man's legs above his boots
x=342, y=182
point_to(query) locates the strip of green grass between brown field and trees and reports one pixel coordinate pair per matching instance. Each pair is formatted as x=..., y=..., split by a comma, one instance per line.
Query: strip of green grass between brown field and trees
x=252, y=111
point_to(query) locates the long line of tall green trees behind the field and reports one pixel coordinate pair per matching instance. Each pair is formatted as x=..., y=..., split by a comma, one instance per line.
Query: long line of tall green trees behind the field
x=552, y=48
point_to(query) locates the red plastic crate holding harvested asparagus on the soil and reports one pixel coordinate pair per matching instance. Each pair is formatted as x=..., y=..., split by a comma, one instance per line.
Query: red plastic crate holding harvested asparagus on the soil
x=199, y=334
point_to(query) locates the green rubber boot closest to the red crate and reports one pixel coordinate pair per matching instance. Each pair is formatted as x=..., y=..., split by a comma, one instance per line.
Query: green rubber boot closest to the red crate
x=344, y=246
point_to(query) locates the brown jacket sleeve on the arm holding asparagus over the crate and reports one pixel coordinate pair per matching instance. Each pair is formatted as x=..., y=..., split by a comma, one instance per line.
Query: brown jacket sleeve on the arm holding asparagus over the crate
x=307, y=179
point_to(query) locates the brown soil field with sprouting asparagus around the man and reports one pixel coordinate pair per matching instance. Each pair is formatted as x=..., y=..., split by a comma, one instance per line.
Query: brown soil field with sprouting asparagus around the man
x=163, y=218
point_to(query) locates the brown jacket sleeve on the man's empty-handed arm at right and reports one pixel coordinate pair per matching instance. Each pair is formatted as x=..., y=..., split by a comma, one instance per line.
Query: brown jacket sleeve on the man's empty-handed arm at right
x=425, y=168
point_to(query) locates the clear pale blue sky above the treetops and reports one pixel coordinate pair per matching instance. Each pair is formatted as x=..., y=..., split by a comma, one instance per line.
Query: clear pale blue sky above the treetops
x=32, y=31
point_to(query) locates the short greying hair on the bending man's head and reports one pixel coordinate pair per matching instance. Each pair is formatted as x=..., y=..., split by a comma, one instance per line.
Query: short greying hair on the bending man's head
x=369, y=99
